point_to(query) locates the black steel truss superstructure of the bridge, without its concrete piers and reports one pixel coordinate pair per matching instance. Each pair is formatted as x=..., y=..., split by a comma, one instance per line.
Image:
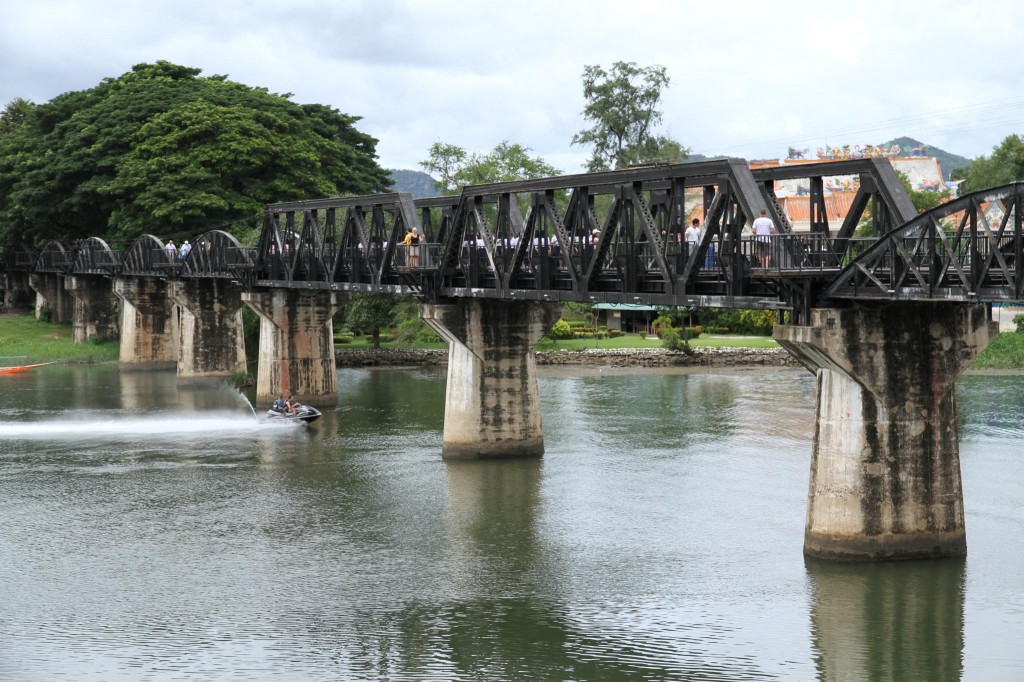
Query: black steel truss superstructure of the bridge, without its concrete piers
x=611, y=237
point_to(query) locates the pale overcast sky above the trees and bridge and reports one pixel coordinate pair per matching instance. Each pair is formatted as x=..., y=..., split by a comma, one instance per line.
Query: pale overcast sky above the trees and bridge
x=748, y=79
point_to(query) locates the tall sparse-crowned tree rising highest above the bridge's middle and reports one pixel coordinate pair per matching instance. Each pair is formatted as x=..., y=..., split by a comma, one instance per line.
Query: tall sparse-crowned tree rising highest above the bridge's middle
x=622, y=106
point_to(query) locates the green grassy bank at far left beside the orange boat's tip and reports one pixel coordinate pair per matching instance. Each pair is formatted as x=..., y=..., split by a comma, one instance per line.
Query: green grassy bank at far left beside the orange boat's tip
x=25, y=340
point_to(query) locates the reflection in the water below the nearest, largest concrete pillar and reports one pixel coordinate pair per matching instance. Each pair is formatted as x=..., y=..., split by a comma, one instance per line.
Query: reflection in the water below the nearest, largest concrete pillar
x=889, y=621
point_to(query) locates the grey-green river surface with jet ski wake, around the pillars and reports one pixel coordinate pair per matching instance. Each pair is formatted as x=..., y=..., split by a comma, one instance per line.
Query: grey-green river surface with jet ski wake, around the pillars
x=156, y=532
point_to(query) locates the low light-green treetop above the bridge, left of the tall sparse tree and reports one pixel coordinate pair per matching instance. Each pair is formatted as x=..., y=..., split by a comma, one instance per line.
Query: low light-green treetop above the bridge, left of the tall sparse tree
x=505, y=163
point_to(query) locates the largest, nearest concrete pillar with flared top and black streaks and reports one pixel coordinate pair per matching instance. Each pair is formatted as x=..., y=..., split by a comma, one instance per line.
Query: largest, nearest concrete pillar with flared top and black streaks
x=885, y=473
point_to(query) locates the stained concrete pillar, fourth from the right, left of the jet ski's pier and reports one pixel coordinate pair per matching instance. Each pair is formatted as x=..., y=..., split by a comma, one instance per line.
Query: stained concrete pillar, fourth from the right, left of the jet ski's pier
x=210, y=322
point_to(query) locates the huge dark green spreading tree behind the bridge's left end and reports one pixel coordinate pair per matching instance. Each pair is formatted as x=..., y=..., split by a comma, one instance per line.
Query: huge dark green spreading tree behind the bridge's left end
x=162, y=150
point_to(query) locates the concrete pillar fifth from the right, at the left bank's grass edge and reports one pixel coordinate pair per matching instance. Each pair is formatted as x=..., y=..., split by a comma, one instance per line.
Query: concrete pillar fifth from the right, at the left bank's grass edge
x=149, y=324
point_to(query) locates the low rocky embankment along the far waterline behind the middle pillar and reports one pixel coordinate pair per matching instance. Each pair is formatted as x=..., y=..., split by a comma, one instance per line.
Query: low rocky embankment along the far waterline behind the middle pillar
x=591, y=357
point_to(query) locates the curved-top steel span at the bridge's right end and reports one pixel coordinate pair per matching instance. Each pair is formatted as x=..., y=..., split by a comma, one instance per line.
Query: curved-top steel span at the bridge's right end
x=969, y=250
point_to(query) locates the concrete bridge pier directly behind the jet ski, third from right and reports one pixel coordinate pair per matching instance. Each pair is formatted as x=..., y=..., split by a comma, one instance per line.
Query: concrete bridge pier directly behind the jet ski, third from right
x=296, y=346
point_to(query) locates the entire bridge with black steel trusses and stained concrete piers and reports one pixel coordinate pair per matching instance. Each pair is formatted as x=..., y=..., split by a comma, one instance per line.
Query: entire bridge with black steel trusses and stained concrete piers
x=887, y=322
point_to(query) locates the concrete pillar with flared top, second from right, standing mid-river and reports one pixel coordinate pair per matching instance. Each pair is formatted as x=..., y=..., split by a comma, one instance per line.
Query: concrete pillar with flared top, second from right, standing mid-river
x=492, y=408
